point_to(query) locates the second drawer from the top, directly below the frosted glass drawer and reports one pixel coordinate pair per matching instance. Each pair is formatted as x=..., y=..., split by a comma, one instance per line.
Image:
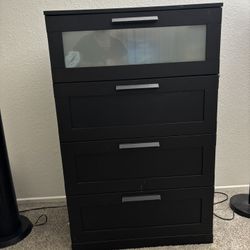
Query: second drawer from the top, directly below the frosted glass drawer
x=150, y=107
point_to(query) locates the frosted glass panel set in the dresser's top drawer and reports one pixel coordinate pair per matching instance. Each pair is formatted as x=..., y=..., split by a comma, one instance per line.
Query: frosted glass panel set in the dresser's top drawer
x=134, y=46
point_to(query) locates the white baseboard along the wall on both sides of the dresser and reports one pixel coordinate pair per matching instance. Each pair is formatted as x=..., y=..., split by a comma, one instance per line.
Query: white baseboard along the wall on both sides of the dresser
x=63, y=197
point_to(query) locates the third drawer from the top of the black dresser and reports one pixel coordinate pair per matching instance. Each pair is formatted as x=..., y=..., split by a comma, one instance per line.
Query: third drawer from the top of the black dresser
x=138, y=164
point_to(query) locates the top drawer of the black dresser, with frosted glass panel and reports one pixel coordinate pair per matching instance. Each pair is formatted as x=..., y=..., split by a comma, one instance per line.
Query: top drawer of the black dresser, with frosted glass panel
x=134, y=43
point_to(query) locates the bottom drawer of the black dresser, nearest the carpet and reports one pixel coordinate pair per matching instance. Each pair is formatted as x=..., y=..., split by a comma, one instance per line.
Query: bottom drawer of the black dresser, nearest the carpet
x=140, y=215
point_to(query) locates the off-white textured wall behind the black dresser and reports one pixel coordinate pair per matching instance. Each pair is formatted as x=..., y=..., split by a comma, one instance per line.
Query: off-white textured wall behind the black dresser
x=28, y=109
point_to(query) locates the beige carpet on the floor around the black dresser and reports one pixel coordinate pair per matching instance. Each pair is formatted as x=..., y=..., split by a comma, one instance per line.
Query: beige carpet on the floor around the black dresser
x=228, y=235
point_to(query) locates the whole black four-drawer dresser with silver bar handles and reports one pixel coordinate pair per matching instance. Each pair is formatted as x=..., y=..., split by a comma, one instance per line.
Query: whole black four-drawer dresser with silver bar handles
x=136, y=100
